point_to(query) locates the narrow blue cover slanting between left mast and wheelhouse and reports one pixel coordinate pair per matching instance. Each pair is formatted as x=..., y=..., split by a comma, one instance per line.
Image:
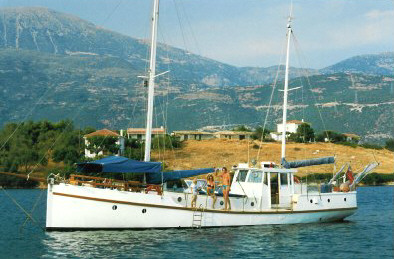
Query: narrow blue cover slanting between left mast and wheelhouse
x=176, y=175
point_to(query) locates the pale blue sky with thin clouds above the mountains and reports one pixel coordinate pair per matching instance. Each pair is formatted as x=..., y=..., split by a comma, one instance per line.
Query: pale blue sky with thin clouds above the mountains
x=247, y=32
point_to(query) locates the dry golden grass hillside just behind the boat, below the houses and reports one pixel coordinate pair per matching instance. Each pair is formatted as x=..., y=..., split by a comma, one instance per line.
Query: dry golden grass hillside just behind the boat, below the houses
x=223, y=152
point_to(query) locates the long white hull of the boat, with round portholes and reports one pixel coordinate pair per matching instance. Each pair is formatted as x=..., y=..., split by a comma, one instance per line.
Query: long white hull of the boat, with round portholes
x=78, y=207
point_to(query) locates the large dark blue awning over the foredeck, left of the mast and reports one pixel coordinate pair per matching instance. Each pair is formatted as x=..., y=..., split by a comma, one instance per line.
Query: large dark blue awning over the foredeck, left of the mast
x=119, y=164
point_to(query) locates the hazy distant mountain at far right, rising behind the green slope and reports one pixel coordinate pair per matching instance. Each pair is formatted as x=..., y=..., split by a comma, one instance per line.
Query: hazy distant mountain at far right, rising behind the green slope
x=376, y=64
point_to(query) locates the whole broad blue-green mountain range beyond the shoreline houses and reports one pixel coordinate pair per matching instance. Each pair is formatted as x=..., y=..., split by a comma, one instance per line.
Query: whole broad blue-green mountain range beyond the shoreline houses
x=56, y=66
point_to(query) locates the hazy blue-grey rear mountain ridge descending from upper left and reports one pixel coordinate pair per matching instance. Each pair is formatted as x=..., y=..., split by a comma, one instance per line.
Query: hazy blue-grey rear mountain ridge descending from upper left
x=45, y=30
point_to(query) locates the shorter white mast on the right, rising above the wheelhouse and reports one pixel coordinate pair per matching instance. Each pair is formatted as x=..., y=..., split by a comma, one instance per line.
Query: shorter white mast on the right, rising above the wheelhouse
x=286, y=89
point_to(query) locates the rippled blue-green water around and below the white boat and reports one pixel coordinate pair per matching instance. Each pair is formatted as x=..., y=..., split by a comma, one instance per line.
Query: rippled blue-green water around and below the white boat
x=367, y=234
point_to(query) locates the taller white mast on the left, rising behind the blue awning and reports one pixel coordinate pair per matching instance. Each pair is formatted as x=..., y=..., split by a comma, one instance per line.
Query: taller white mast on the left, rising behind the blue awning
x=151, y=80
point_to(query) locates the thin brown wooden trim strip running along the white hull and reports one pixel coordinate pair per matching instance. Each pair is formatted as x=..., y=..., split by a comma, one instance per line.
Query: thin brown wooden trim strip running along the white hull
x=194, y=209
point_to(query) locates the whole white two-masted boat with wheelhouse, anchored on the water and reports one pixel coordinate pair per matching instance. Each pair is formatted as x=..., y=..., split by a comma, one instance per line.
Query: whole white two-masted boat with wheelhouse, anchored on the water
x=260, y=195
